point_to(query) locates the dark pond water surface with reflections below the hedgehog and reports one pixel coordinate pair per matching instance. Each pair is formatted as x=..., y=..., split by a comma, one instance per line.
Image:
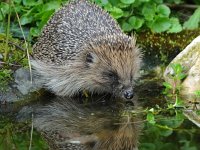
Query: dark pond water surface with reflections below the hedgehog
x=99, y=123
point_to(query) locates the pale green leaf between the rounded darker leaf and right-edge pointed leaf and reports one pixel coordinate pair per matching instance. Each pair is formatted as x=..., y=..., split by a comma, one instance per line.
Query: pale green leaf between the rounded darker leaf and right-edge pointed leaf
x=175, y=27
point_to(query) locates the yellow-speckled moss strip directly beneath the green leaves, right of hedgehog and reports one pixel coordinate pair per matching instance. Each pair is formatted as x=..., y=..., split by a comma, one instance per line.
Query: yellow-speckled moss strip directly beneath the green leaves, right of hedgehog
x=166, y=42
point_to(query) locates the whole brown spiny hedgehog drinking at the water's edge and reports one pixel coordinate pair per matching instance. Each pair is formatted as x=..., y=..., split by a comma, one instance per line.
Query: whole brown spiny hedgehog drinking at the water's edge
x=82, y=48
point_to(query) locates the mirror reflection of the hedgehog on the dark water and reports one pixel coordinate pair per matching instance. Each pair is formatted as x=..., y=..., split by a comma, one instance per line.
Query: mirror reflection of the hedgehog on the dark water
x=68, y=125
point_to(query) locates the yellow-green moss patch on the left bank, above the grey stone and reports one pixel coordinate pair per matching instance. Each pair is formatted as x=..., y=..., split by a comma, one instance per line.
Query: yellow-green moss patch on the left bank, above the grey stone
x=16, y=59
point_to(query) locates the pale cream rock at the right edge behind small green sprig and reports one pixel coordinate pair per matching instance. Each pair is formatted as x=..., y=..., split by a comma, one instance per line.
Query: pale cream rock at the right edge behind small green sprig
x=189, y=58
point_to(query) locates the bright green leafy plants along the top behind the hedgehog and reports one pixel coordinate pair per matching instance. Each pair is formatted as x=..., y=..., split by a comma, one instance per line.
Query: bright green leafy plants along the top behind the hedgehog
x=132, y=15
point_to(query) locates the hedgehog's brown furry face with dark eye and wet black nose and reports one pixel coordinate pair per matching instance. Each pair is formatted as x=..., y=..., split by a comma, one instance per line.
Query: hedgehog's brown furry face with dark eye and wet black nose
x=113, y=70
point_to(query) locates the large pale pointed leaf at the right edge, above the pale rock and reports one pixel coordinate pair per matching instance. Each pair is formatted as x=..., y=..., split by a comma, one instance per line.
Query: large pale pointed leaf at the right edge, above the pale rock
x=193, y=21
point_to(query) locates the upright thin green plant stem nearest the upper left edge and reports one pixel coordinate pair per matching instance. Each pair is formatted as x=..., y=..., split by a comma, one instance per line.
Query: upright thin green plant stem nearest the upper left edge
x=7, y=34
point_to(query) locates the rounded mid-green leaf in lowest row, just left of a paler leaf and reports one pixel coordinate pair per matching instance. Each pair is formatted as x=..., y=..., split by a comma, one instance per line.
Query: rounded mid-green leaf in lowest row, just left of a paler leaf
x=160, y=25
